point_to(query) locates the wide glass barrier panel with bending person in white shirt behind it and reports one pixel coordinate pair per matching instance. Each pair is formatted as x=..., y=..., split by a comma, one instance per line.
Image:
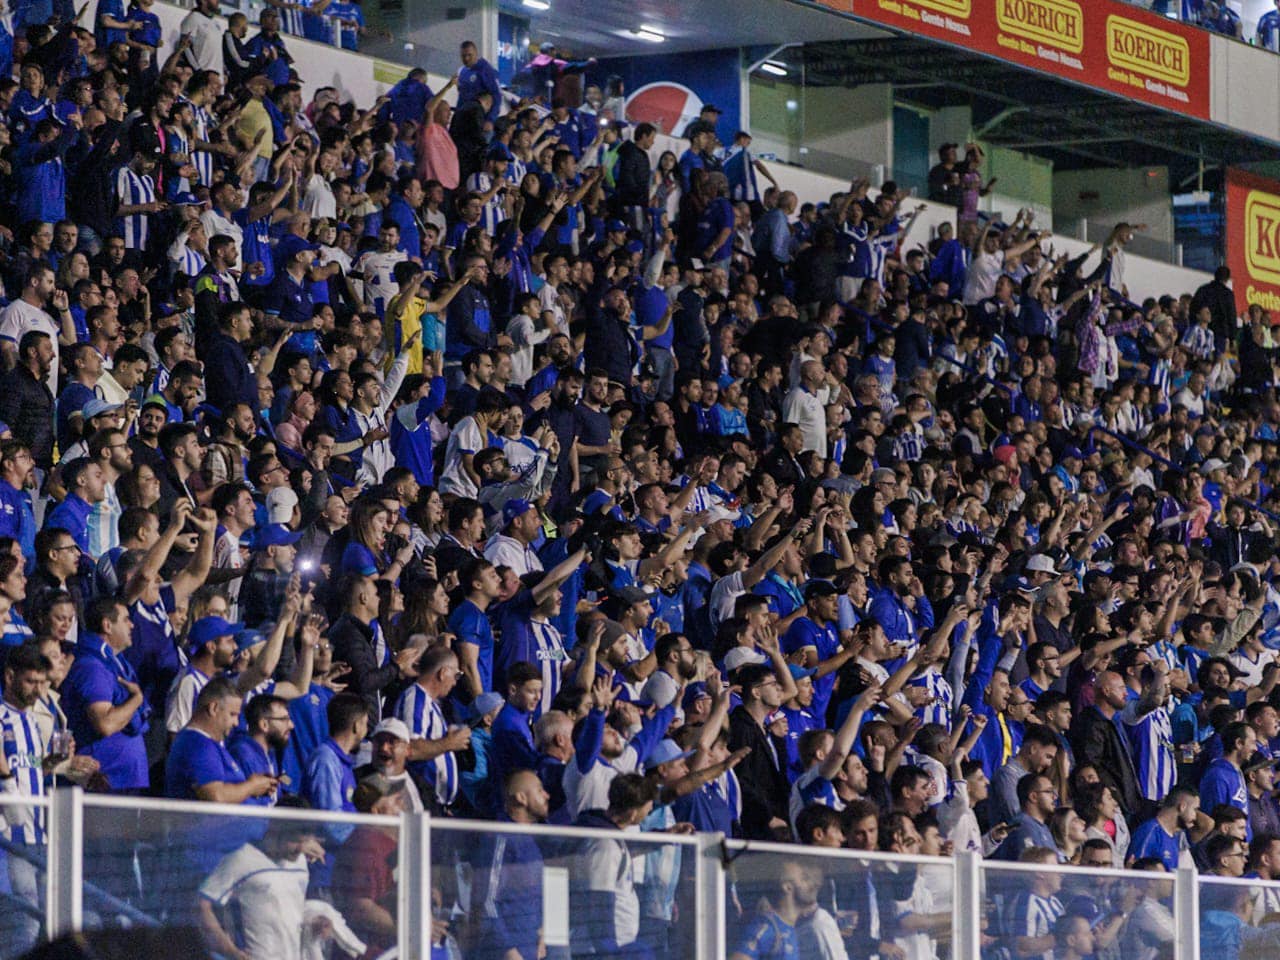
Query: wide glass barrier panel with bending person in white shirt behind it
x=280, y=885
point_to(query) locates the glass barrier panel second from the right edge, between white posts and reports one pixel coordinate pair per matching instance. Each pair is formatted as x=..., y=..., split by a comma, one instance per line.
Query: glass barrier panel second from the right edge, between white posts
x=1041, y=911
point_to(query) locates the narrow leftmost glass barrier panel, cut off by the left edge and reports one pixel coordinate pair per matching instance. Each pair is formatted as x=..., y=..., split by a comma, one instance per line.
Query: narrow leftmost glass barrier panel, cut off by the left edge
x=24, y=851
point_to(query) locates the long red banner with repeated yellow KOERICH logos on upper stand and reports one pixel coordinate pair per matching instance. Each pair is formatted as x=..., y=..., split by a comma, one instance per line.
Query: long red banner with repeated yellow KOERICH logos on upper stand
x=1103, y=44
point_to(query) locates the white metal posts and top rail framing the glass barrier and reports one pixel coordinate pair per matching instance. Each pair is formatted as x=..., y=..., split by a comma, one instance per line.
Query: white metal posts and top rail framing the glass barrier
x=77, y=825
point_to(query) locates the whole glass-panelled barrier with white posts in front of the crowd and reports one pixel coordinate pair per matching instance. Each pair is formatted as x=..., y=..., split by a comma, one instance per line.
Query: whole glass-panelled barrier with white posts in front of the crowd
x=397, y=886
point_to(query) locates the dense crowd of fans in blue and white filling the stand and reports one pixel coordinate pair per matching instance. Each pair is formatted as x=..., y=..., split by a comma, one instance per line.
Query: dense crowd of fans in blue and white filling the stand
x=473, y=460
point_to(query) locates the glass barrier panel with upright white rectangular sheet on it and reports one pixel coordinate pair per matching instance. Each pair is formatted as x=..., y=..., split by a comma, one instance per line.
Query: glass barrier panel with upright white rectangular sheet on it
x=560, y=894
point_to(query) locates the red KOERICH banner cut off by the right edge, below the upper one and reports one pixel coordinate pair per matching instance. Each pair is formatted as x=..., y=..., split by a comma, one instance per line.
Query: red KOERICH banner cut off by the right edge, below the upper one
x=1254, y=240
